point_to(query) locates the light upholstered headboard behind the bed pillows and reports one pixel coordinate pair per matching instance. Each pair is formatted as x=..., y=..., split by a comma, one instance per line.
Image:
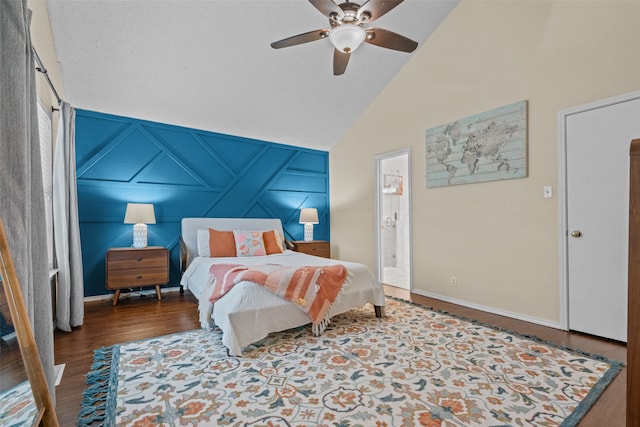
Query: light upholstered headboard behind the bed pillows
x=190, y=227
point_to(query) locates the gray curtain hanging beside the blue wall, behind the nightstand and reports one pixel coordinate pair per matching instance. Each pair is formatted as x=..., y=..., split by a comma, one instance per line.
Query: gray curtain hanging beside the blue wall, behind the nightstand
x=69, y=303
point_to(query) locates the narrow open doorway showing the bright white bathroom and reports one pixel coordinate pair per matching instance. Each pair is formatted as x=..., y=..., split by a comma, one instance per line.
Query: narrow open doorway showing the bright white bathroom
x=394, y=218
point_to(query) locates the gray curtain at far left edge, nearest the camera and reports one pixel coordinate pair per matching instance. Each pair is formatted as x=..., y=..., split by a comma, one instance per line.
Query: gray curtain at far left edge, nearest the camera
x=21, y=191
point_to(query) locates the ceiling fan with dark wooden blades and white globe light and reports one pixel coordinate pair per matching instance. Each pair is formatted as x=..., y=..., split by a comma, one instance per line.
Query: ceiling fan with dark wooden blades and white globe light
x=348, y=30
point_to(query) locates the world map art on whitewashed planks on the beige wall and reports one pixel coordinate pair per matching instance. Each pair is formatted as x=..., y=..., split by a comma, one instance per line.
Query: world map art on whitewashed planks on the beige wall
x=488, y=146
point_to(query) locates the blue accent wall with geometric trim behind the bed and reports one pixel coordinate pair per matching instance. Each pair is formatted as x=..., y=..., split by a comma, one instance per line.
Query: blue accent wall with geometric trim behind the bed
x=185, y=173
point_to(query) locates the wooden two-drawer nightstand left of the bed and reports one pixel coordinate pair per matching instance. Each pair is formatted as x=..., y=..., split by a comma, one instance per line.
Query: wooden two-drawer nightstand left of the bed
x=136, y=267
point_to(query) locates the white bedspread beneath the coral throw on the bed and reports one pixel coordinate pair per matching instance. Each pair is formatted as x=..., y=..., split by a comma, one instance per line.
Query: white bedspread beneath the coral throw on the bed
x=249, y=312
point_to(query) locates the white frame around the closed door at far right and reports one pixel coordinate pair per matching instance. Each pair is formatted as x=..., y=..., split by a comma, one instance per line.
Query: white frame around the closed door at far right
x=563, y=196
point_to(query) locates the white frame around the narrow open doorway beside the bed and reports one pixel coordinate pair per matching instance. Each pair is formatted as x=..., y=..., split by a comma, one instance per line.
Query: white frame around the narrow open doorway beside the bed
x=407, y=186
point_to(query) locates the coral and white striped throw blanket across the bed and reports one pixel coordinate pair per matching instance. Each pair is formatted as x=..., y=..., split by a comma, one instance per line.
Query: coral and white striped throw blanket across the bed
x=313, y=289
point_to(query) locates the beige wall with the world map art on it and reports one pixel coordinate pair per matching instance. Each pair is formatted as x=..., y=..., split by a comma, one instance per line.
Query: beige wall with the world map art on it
x=500, y=239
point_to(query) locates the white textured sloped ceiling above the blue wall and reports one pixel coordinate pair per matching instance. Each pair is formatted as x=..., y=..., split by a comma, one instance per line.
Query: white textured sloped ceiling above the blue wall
x=208, y=64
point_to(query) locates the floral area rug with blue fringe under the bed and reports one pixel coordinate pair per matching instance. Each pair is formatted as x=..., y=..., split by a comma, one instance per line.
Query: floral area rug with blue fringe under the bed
x=415, y=367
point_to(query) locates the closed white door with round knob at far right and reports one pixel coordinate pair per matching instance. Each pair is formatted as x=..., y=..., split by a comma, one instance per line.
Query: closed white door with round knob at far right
x=597, y=210
